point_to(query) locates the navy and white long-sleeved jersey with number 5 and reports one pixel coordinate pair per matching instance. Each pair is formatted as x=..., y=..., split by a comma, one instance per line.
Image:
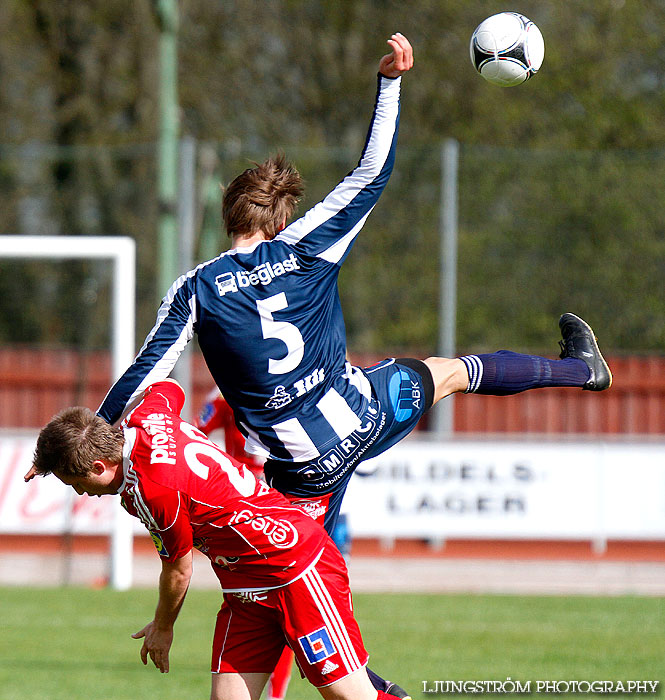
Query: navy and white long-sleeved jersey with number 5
x=269, y=320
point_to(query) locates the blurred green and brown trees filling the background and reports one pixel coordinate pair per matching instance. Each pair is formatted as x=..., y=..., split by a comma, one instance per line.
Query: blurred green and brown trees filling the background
x=558, y=177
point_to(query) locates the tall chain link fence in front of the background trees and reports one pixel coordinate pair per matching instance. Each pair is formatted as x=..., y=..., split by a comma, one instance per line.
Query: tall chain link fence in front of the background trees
x=540, y=233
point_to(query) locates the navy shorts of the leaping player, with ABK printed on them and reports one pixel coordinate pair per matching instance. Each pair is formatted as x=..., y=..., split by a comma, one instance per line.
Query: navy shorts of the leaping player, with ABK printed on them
x=402, y=391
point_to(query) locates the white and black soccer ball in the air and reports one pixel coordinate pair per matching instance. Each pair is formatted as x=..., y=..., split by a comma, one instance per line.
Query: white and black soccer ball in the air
x=507, y=49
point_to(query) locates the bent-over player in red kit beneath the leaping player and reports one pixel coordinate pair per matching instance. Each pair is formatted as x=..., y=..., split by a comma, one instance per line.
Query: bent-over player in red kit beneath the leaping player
x=282, y=576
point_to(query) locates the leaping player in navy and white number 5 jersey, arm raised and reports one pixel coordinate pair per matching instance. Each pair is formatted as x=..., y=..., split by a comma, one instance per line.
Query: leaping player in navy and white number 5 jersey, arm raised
x=269, y=323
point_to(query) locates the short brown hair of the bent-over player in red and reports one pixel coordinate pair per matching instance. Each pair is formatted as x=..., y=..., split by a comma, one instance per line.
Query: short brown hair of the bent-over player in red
x=73, y=440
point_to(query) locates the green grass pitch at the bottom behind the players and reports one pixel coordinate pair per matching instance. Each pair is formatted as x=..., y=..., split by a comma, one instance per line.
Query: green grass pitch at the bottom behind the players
x=74, y=644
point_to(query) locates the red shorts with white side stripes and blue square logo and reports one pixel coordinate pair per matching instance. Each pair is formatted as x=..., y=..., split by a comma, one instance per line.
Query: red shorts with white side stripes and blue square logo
x=313, y=615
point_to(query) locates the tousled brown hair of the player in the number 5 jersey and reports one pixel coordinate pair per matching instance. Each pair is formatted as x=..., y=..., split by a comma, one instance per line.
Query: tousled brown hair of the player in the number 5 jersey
x=262, y=197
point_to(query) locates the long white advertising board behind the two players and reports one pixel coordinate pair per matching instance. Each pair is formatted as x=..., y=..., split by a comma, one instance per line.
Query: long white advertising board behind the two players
x=457, y=489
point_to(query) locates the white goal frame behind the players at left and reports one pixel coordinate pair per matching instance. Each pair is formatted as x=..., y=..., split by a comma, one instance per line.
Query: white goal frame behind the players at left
x=121, y=251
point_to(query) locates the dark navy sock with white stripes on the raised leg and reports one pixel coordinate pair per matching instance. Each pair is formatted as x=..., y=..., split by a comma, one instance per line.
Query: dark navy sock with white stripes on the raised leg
x=502, y=373
